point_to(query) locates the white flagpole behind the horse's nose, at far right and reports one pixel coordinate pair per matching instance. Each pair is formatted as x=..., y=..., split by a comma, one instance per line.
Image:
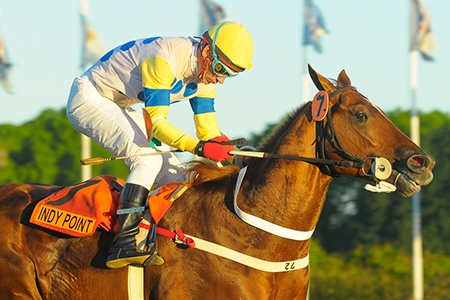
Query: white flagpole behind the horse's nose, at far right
x=417, y=247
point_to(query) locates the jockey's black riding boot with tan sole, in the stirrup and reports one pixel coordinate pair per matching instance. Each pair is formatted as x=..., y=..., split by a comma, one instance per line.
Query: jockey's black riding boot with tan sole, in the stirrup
x=124, y=251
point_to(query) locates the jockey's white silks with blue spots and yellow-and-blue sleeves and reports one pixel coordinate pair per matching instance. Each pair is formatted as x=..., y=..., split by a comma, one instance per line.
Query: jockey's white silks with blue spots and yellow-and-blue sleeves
x=159, y=72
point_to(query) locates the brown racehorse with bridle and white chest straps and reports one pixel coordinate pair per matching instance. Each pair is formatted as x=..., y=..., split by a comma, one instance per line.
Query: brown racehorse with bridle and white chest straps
x=281, y=196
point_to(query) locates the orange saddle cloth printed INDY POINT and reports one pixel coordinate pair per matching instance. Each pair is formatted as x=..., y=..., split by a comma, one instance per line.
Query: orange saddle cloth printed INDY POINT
x=80, y=209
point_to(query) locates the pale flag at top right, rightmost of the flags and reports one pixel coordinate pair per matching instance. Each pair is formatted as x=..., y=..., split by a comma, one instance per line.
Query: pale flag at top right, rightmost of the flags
x=421, y=35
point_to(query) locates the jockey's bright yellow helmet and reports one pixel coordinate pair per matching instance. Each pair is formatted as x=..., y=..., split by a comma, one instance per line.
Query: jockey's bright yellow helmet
x=233, y=44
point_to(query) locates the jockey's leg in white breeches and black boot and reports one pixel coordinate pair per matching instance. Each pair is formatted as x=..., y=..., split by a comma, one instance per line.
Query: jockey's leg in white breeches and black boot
x=118, y=128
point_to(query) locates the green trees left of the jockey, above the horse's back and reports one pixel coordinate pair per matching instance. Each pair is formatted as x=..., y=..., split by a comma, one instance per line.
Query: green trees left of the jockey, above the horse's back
x=47, y=150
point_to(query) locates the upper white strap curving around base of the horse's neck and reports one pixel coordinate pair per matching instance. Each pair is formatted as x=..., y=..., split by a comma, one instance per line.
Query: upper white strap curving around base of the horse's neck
x=263, y=224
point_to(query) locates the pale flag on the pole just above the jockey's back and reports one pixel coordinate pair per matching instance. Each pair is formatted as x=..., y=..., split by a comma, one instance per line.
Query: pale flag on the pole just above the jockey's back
x=92, y=48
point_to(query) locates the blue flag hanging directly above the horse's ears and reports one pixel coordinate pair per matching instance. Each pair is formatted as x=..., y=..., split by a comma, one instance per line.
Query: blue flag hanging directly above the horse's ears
x=313, y=25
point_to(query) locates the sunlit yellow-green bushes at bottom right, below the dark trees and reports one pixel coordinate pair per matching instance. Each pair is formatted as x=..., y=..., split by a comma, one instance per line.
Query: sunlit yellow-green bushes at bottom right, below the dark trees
x=377, y=272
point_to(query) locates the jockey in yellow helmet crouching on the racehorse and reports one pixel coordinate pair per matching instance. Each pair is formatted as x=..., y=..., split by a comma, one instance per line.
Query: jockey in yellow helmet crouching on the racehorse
x=156, y=72
